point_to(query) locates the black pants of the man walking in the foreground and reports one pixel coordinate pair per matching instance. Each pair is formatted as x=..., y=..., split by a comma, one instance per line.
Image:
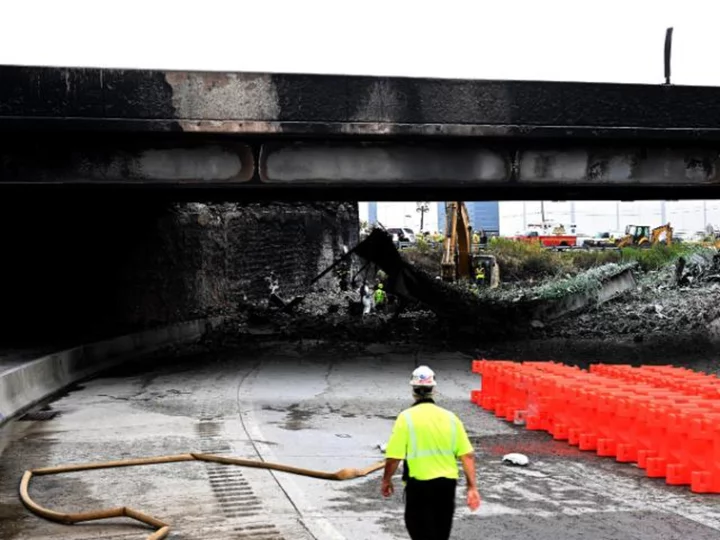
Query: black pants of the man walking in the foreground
x=429, y=508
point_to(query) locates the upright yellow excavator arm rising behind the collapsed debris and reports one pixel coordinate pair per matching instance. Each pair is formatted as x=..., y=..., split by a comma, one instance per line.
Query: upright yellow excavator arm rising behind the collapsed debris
x=457, y=242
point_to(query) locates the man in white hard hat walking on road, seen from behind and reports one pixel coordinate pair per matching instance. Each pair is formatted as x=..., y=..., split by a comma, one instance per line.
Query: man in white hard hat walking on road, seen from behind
x=430, y=440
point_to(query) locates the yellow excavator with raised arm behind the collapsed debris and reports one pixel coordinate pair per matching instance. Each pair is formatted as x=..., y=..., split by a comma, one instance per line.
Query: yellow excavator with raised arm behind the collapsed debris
x=459, y=260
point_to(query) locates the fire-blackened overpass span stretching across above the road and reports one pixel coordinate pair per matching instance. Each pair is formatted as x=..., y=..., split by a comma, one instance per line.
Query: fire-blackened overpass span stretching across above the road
x=273, y=136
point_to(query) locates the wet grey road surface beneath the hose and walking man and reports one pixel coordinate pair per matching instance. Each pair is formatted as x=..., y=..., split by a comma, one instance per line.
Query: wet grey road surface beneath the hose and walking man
x=320, y=407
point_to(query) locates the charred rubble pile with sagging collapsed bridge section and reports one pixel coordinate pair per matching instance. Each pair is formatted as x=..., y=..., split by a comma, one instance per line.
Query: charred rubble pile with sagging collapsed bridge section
x=607, y=301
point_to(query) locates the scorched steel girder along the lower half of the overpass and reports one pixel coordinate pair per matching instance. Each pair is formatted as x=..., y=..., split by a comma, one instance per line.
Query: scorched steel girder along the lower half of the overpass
x=246, y=164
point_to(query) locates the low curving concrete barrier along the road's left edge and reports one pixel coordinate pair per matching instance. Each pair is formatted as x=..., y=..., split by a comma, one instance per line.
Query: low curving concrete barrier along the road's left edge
x=26, y=385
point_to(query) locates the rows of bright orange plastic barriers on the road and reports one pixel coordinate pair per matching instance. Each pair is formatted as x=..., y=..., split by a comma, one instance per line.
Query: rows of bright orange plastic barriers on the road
x=666, y=419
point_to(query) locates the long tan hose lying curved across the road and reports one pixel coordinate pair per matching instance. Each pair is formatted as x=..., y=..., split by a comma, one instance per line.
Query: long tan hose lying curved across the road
x=162, y=528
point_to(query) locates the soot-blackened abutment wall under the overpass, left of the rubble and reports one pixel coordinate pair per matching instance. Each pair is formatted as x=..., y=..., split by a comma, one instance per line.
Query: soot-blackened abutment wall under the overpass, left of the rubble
x=76, y=269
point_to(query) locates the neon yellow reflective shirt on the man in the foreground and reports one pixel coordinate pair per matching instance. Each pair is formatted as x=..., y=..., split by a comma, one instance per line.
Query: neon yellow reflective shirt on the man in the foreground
x=430, y=439
